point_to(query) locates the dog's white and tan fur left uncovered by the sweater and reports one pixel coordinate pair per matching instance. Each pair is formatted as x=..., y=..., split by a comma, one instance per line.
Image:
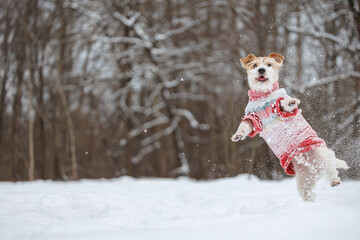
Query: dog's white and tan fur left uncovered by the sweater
x=309, y=166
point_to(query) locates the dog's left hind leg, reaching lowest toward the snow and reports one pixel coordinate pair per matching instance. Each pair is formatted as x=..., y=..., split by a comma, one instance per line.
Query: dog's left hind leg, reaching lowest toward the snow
x=305, y=179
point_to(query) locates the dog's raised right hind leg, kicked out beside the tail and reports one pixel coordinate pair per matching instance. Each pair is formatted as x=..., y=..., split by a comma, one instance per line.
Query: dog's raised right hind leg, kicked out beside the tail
x=329, y=160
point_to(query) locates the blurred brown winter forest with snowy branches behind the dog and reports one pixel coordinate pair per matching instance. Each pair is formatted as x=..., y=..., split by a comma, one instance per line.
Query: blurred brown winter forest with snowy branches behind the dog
x=145, y=88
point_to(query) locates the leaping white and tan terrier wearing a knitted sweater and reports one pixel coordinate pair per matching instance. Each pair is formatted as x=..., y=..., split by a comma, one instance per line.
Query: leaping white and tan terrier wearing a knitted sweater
x=275, y=115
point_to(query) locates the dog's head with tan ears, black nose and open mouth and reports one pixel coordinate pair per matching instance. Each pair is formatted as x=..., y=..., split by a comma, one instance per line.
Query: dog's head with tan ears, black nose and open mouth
x=262, y=71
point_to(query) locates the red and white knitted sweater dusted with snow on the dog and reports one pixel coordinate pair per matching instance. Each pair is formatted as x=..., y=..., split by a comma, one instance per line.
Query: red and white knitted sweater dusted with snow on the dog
x=287, y=134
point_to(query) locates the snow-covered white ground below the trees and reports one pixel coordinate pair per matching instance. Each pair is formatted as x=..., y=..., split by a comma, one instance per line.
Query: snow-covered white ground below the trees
x=126, y=208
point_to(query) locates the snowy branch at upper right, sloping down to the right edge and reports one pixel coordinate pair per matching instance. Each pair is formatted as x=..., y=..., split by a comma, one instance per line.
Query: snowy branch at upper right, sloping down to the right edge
x=316, y=34
